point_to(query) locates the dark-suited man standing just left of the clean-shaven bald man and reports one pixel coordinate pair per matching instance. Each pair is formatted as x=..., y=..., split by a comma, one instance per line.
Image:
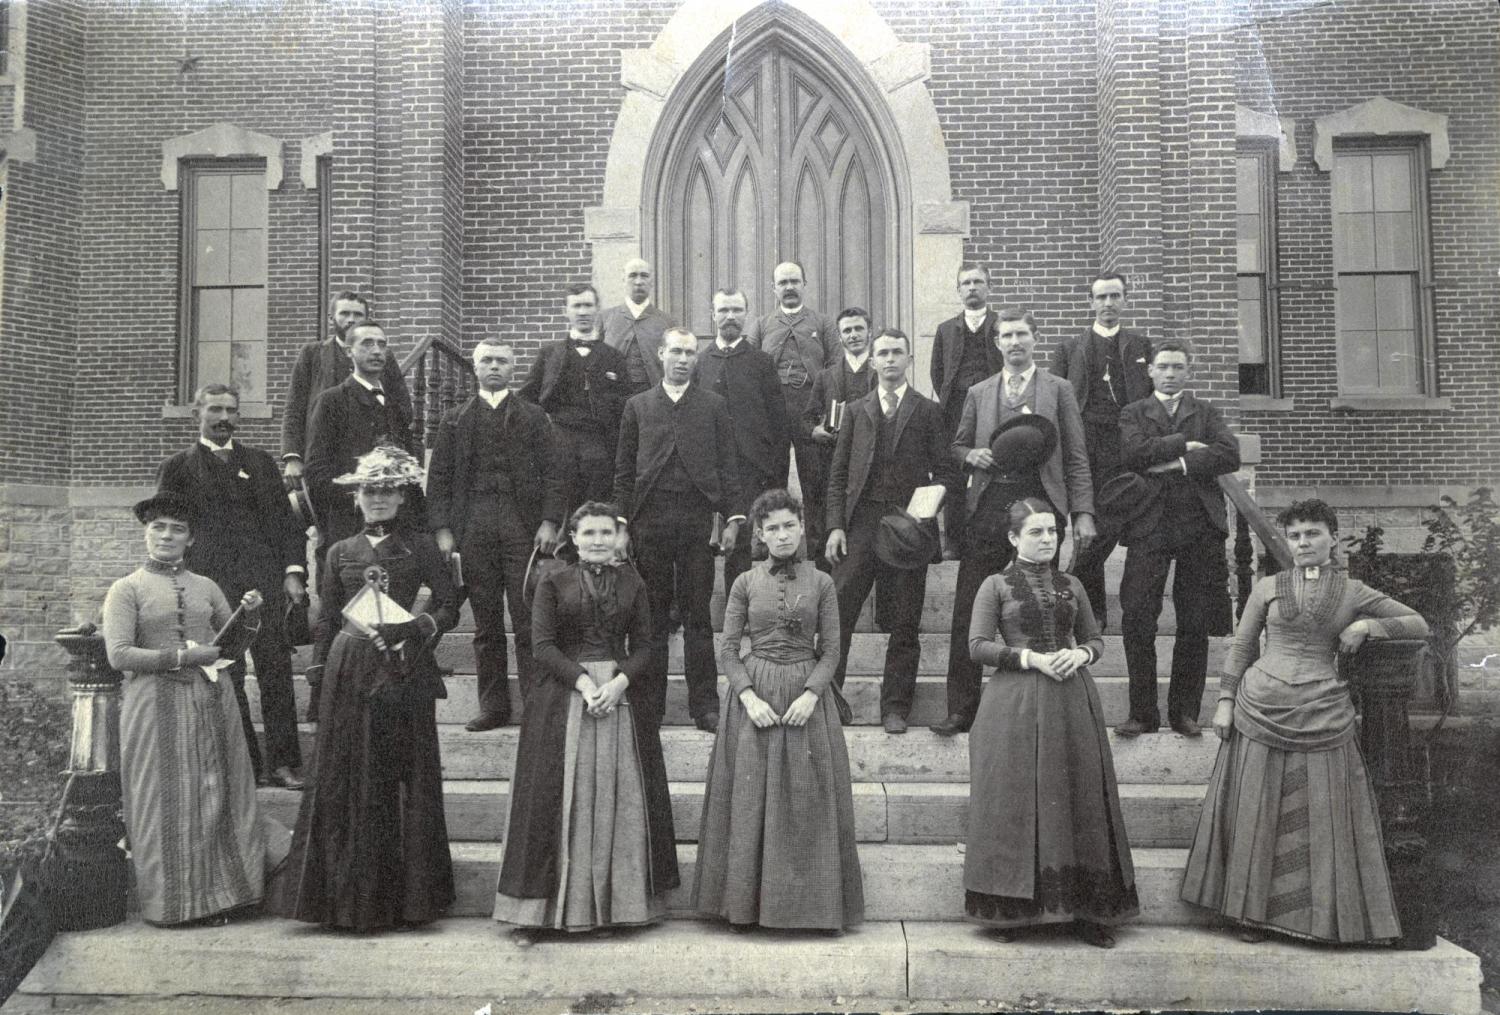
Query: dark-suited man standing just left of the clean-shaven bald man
x=583, y=386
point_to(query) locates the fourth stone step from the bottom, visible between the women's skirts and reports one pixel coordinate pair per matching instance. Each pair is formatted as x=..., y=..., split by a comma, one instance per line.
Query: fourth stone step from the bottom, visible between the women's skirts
x=875, y=756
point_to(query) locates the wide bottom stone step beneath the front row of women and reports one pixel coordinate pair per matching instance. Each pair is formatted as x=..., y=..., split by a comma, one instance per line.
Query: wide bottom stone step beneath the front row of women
x=472, y=962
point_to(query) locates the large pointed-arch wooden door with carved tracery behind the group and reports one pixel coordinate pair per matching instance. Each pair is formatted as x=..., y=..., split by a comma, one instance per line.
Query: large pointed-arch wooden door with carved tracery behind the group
x=773, y=164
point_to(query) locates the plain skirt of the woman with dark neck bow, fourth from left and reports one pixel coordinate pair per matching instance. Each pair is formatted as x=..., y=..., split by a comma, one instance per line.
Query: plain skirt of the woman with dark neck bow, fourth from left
x=778, y=842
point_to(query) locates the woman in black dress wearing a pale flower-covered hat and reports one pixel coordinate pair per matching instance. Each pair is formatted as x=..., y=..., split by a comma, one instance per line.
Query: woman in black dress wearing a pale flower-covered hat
x=371, y=849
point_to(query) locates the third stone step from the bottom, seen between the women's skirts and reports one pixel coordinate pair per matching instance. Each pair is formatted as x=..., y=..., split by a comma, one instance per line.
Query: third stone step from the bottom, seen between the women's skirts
x=907, y=813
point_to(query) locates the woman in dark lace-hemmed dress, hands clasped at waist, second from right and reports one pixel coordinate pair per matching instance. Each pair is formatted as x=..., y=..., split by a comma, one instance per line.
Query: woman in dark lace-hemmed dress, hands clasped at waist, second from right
x=1046, y=836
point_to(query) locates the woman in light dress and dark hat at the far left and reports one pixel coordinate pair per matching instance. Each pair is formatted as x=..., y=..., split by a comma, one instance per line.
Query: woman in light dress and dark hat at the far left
x=196, y=833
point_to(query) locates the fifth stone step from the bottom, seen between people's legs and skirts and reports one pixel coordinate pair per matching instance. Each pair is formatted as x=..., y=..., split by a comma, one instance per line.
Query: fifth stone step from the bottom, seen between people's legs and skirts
x=863, y=693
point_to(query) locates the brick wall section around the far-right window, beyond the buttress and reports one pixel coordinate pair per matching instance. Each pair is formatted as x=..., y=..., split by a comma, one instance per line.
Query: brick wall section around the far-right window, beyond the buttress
x=1444, y=58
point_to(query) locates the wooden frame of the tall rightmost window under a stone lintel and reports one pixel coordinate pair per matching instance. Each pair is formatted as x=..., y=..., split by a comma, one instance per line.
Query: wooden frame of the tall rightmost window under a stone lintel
x=1424, y=317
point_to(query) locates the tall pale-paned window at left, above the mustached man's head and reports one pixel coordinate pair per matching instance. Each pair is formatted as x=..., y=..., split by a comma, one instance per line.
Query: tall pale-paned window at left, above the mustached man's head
x=223, y=301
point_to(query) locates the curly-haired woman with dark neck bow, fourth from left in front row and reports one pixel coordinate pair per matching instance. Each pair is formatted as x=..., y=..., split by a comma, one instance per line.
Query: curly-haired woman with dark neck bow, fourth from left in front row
x=778, y=842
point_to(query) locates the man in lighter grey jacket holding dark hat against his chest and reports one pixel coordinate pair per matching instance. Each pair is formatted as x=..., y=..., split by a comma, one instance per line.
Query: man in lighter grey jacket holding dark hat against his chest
x=1021, y=436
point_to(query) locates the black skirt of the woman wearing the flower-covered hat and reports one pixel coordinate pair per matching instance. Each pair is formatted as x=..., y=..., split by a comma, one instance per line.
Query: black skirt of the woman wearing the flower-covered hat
x=371, y=848
